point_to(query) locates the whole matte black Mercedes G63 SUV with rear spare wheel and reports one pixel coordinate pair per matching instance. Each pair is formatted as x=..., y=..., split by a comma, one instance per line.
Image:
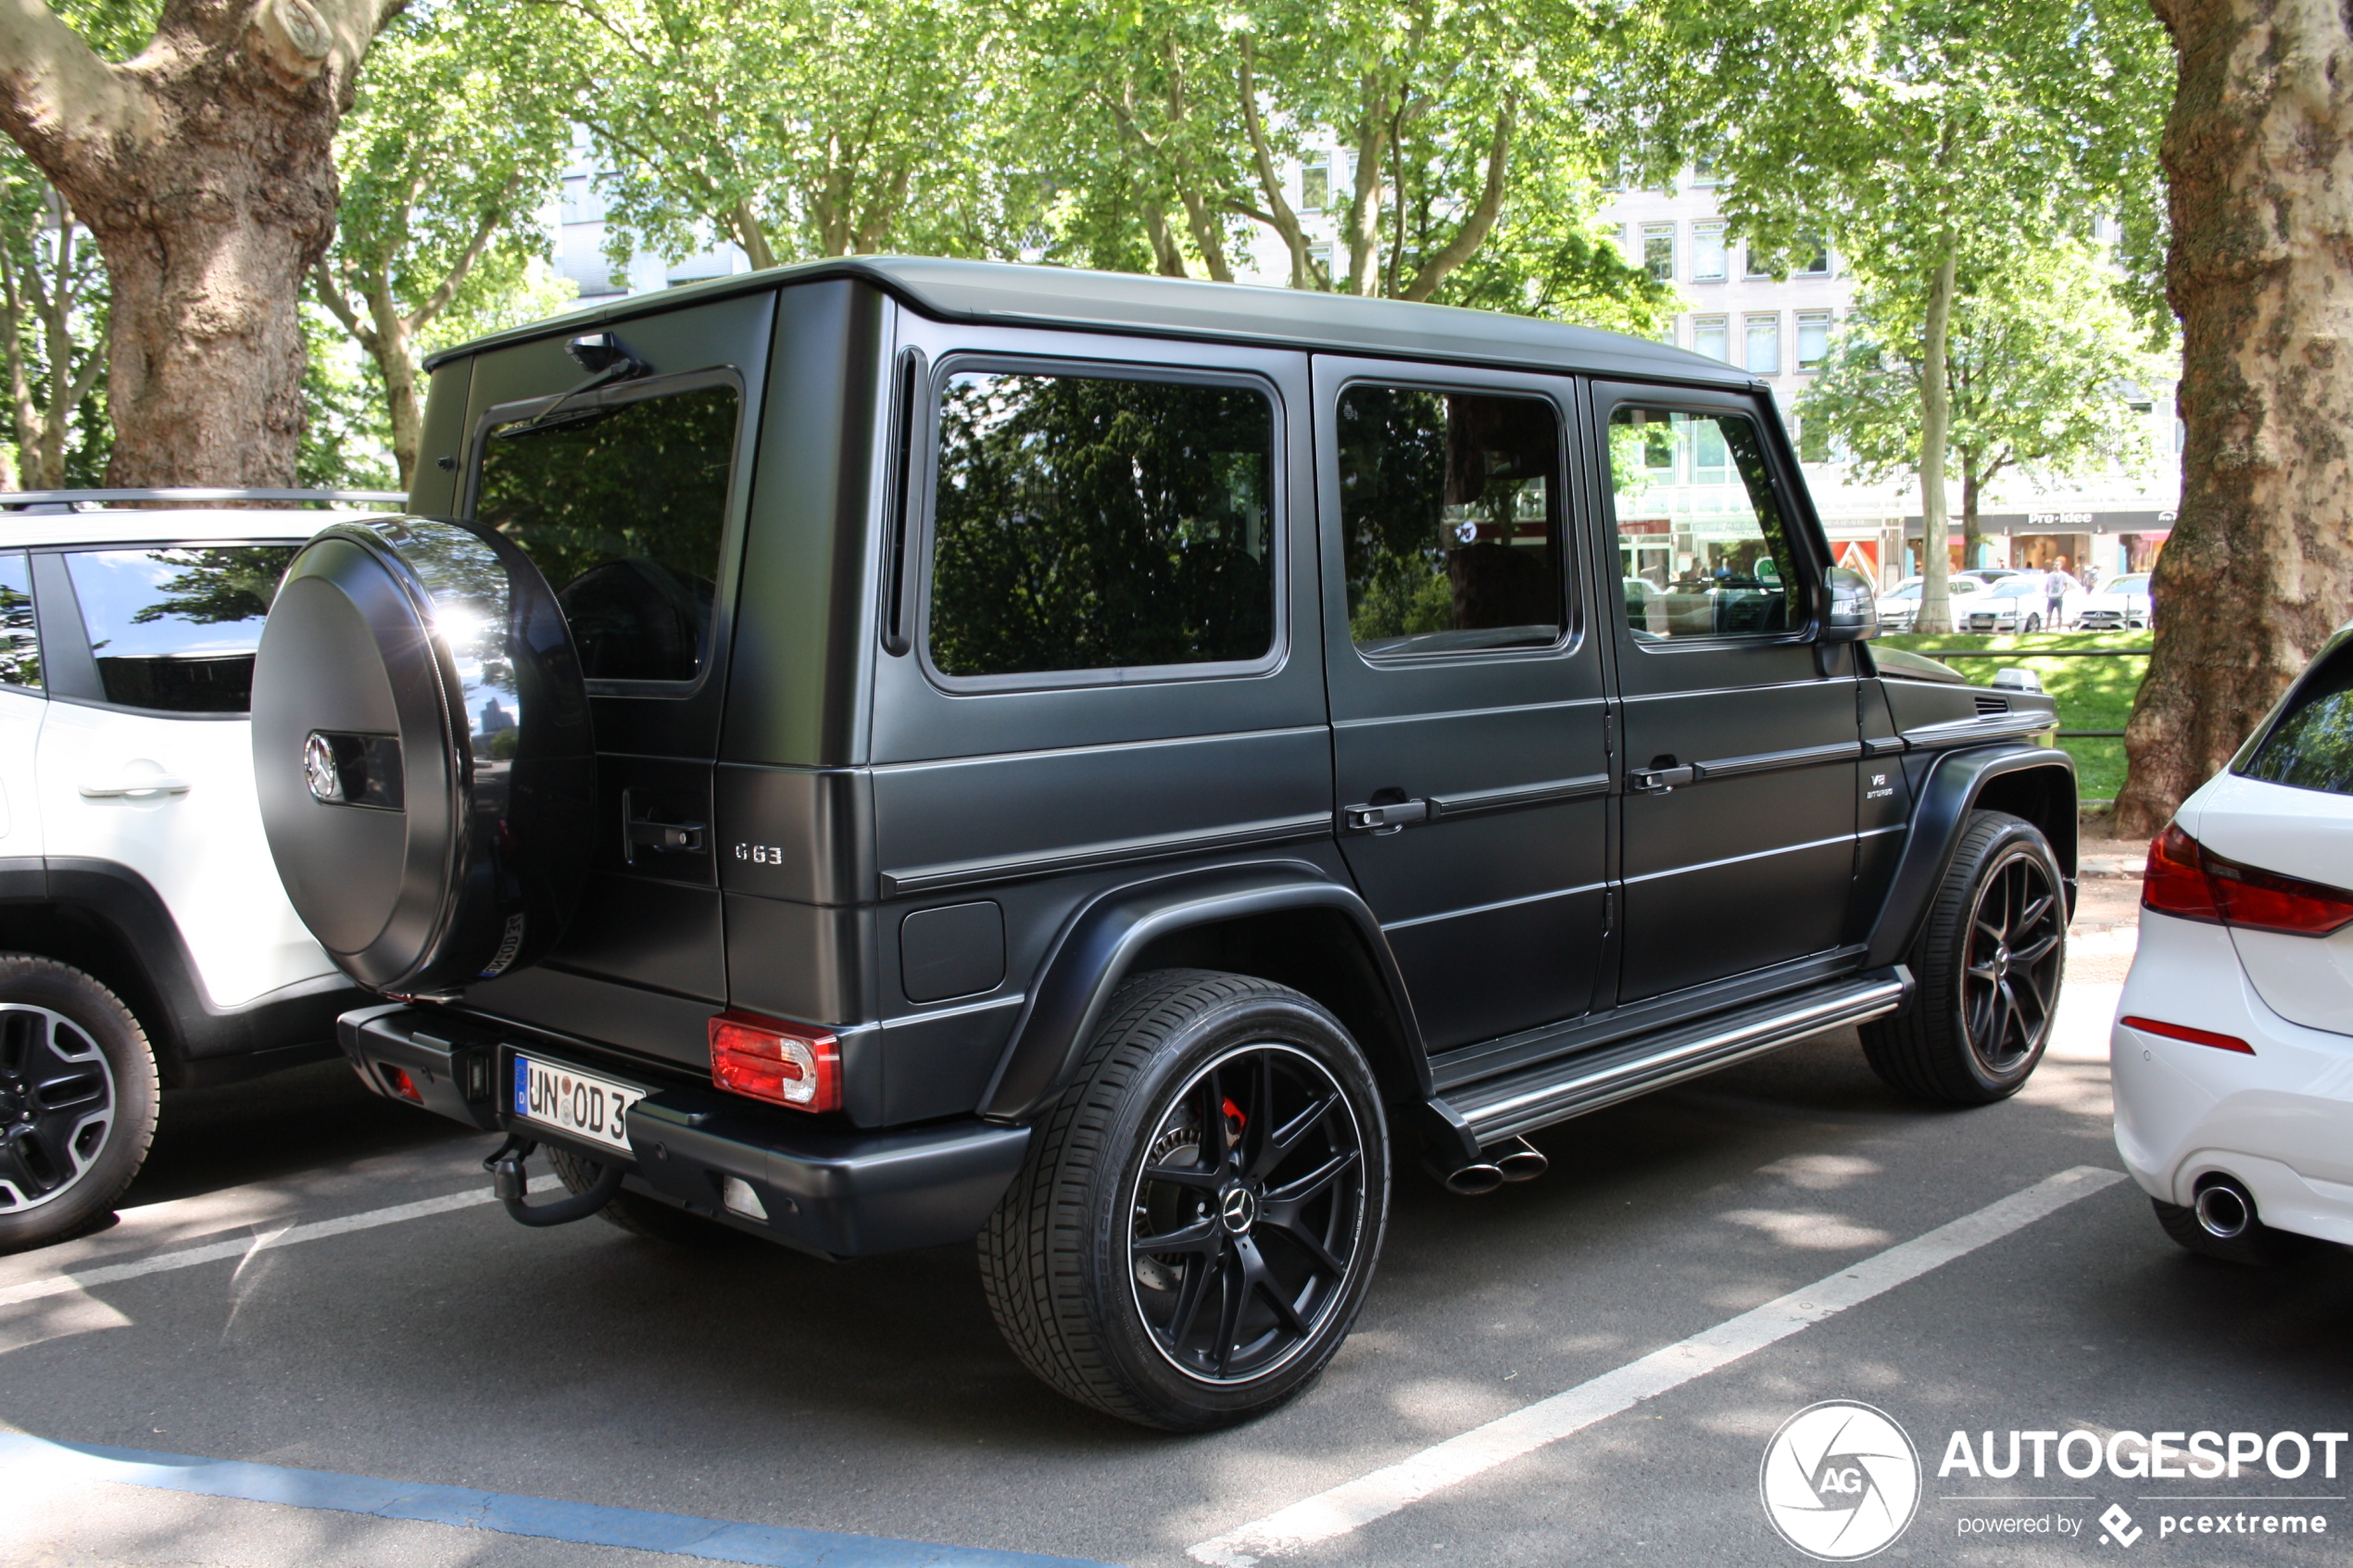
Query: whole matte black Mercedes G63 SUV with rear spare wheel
x=886, y=753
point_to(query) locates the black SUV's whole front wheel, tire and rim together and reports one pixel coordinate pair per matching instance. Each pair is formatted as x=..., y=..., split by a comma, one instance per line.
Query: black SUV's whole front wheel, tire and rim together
x=1980, y=1012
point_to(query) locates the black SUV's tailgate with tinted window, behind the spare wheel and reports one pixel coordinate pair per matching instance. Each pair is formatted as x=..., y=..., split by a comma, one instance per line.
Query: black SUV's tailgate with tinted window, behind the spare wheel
x=632, y=502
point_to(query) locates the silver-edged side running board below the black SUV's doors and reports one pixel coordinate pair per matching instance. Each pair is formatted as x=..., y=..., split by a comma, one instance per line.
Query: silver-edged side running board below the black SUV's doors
x=1571, y=1087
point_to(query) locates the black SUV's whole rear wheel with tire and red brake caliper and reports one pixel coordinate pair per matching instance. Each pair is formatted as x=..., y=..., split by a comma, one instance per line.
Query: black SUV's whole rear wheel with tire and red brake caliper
x=1237, y=1123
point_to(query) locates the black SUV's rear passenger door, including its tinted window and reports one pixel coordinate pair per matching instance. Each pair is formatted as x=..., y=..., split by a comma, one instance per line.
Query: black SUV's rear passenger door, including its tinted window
x=1467, y=695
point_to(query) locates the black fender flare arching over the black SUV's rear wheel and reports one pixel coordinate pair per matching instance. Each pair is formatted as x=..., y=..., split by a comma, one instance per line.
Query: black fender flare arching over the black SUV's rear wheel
x=1102, y=939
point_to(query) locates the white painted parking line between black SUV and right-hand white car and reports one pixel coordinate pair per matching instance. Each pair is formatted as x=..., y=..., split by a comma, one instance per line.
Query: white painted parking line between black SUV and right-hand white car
x=1385, y=1492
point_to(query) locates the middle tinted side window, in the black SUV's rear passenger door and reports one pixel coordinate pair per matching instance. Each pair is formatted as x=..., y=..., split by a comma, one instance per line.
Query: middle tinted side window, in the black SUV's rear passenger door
x=1451, y=521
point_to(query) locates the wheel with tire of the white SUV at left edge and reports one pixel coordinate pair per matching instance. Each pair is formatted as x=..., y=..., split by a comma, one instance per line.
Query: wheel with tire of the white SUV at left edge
x=76, y=1101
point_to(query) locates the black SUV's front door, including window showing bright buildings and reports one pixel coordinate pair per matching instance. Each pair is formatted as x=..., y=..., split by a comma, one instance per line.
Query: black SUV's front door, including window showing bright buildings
x=1740, y=749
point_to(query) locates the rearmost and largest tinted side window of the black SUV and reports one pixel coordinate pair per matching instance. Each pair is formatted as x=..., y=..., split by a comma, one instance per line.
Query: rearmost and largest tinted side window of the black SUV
x=1086, y=523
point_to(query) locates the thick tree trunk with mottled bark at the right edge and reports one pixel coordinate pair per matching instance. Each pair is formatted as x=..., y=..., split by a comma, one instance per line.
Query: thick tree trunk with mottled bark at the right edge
x=2258, y=572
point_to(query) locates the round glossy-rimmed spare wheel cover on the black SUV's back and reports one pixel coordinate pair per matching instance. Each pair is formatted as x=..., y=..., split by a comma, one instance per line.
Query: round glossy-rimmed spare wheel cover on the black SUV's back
x=422, y=753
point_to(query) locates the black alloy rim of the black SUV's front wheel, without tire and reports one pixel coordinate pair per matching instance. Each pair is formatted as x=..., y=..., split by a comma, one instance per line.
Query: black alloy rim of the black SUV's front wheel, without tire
x=2011, y=974
